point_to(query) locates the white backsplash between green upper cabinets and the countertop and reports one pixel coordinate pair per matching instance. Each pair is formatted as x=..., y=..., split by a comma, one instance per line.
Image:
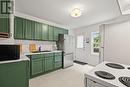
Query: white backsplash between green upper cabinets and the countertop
x=45, y=45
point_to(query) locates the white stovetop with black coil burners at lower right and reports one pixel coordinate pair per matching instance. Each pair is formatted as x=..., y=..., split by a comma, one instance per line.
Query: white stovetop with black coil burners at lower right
x=116, y=72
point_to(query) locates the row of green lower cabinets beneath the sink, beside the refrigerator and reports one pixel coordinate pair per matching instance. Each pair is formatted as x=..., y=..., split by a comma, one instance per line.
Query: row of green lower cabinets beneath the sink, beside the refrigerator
x=44, y=63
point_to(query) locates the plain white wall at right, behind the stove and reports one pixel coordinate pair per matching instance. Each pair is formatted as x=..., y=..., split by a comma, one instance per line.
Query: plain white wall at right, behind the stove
x=117, y=42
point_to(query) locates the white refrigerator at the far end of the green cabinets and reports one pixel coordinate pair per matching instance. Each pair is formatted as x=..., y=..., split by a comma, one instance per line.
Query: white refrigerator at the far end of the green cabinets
x=66, y=44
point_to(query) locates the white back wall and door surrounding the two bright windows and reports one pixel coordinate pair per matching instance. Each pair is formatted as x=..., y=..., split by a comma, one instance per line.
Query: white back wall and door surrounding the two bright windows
x=85, y=54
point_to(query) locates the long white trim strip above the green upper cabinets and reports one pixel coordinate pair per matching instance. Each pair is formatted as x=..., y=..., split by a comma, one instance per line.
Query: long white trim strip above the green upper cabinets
x=26, y=16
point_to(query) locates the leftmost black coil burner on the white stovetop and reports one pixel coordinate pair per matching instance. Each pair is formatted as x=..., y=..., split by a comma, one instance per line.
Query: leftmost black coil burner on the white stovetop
x=105, y=75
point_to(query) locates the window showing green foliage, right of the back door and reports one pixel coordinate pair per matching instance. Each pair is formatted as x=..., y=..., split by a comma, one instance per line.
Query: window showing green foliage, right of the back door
x=95, y=42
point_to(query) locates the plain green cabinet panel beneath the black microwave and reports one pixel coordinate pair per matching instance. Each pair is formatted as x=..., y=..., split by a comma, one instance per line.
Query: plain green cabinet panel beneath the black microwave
x=15, y=74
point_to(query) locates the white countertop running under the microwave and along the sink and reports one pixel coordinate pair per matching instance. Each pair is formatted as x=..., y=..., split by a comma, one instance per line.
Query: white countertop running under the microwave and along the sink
x=23, y=57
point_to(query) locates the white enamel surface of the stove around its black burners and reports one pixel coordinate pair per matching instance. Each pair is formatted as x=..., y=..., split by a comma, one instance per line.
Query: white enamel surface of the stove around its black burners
x=116, y=72
